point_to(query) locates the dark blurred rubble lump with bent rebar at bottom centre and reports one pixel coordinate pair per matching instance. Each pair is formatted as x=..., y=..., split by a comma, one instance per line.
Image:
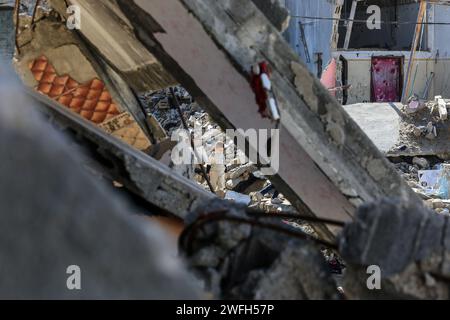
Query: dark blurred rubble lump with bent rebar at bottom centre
x=253, y=260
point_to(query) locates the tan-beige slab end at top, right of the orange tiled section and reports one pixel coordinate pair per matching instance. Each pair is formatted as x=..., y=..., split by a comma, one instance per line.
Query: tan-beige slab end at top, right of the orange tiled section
x=110, y=33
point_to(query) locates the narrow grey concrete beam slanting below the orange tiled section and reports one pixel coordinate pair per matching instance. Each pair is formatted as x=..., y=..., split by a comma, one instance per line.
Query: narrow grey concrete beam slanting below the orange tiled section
x=117, y=161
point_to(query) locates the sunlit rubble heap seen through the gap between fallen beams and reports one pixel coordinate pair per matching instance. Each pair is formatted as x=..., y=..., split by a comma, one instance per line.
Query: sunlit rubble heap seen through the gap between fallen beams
x=244, y=182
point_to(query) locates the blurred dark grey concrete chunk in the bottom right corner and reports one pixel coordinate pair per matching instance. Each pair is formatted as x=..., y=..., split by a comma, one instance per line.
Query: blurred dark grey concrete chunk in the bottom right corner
x=411, y=247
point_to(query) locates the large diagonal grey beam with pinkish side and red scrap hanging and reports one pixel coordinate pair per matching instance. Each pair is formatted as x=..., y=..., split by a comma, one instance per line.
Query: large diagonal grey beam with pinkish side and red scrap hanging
x=327, y=164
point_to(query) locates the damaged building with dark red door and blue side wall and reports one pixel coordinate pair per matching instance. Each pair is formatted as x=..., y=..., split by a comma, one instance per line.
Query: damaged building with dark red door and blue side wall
x=368, y=47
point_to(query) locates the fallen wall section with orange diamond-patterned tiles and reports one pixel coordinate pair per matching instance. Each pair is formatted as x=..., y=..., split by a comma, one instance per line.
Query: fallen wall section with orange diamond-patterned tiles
x=49, y=53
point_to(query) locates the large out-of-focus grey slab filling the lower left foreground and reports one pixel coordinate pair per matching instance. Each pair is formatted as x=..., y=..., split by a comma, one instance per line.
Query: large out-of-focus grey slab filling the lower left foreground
x=58, y=222
